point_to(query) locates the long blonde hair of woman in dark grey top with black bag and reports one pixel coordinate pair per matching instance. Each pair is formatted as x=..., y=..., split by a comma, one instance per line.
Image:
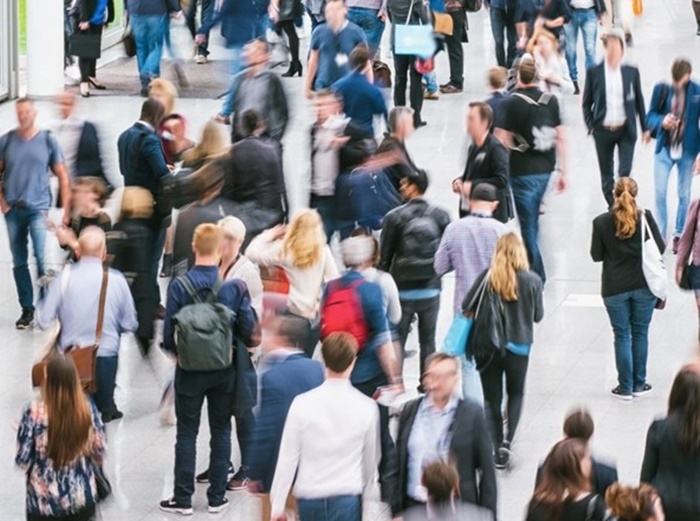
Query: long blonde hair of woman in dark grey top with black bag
x=510, y=257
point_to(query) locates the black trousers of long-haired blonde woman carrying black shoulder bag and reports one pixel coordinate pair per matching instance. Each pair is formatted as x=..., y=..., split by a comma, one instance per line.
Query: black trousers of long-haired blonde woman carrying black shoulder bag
x=514, y=368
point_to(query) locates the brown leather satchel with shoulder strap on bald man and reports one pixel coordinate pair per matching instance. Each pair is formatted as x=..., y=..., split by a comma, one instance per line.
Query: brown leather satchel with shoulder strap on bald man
x=84, y=357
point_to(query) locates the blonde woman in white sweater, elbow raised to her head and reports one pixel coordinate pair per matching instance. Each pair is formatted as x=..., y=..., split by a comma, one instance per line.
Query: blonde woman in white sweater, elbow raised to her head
x=301, y=251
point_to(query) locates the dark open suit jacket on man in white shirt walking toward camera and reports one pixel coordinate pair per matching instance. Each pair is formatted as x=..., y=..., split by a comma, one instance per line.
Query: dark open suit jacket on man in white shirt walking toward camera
x=594, y=102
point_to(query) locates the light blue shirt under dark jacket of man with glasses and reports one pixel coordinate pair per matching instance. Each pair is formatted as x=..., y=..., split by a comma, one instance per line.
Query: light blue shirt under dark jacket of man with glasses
x=428, y=442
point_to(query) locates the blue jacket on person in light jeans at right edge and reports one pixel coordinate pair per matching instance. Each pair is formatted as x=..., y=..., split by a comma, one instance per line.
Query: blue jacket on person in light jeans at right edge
x=656, y=114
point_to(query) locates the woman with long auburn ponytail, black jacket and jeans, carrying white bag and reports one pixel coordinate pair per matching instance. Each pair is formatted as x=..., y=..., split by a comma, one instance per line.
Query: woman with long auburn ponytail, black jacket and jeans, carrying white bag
x=617, y=243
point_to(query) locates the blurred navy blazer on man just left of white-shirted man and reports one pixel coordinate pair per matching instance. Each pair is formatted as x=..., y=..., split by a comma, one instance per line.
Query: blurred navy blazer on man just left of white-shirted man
x=283, y=381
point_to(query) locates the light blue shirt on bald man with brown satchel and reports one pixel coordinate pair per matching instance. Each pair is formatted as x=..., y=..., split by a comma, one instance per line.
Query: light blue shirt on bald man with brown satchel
x=76, y=307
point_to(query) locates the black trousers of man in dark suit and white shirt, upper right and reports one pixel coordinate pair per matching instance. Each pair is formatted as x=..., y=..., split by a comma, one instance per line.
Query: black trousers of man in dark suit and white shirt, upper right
x=605, y=143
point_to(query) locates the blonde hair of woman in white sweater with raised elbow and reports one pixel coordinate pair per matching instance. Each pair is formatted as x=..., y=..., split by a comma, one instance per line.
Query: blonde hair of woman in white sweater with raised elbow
x=305, y=240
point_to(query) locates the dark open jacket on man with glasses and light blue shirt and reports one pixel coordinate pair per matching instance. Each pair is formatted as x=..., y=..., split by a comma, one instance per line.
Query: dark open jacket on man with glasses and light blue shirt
x=470, y=448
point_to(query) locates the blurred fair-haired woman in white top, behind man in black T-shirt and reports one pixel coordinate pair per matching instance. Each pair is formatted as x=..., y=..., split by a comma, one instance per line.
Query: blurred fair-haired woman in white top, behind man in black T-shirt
x=552, y=69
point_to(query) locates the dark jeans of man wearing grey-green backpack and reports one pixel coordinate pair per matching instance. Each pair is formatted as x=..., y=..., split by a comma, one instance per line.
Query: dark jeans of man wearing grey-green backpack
x=191, y=388
